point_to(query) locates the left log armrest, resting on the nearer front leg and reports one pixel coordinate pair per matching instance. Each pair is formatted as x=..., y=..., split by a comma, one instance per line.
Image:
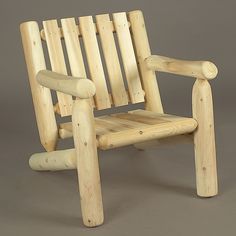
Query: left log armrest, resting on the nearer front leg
x=78, y=87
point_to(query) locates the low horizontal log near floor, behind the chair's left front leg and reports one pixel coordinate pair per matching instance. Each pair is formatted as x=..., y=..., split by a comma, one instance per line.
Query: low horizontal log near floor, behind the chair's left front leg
x=57, y=160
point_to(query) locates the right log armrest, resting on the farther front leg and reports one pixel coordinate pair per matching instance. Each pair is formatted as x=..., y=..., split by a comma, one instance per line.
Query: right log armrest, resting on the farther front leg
x=197, y=69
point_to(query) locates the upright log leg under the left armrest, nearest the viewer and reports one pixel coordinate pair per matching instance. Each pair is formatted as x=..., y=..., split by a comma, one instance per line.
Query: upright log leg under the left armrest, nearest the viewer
x=87, y=161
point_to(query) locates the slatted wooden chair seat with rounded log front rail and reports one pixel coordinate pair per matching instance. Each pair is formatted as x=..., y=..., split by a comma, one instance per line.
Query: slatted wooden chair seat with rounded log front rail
x=122, y=129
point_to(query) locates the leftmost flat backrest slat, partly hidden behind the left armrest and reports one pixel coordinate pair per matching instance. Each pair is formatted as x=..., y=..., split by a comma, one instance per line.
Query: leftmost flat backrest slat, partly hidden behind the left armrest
x=57, y=60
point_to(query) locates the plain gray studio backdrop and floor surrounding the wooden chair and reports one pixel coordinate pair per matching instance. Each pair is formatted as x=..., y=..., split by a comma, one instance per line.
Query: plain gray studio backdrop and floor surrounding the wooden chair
x=145, y=193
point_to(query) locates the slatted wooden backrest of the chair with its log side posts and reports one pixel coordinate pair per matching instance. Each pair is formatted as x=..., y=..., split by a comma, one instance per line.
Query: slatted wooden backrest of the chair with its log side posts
x=123, y=44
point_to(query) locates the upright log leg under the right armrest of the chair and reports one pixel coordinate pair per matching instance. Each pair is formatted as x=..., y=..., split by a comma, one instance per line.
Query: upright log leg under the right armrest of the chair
x=204, y=140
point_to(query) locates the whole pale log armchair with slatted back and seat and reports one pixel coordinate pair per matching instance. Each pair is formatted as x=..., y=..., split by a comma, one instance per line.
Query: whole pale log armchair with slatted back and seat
x=130, y=70
